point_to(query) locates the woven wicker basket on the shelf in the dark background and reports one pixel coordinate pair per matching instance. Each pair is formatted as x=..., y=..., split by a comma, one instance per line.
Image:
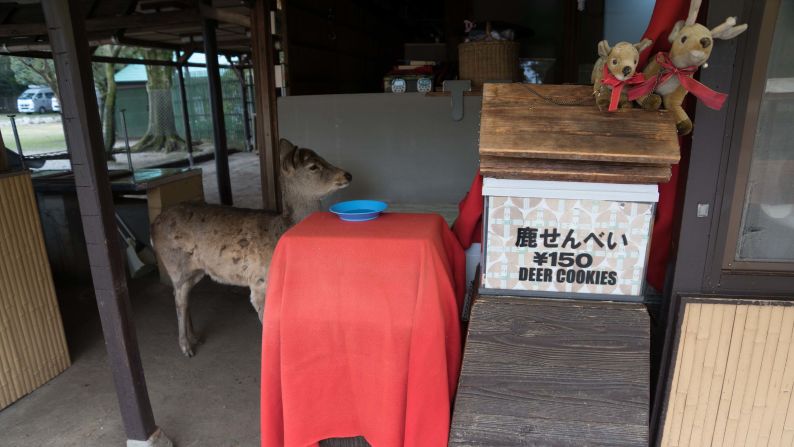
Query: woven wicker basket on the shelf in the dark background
x=488, y=60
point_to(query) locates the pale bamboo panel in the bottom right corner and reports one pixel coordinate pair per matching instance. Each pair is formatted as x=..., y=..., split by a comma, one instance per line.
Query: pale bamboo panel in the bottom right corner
x=733, y=376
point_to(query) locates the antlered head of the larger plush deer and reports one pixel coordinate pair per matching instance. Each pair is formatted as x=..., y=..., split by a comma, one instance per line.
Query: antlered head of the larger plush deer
x=692, y=42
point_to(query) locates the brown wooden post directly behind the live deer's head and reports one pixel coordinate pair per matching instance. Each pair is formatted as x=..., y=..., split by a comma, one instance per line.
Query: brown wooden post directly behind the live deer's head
x=265, y=103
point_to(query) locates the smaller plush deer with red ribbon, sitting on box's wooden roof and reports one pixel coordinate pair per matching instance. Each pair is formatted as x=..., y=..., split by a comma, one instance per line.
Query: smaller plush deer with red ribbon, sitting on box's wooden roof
x=615, y=69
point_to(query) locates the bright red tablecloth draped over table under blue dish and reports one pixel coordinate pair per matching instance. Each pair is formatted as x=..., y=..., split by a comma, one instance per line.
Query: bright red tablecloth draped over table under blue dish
x=361, y=331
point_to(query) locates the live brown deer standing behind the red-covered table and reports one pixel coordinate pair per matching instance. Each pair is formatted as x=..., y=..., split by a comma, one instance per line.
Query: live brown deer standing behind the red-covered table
x=234, y=246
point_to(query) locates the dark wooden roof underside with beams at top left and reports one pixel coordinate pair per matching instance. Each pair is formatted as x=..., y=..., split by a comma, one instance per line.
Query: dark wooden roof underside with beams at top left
x=168, y=24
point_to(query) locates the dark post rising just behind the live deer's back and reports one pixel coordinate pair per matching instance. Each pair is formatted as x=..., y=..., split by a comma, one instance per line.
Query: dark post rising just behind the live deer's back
x=216, y=105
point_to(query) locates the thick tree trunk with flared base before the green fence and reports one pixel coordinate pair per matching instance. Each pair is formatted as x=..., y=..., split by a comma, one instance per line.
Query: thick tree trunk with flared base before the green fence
x=161, y=133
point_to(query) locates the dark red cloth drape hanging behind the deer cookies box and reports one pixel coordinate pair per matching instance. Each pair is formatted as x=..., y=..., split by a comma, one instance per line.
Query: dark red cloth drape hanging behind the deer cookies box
x=468, y=226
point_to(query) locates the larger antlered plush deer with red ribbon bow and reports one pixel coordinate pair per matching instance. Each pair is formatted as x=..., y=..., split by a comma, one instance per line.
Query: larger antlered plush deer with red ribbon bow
x=669, y=75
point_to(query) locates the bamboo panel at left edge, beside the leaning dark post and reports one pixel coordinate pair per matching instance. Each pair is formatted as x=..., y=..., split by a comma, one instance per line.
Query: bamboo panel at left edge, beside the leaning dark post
x=32, y=344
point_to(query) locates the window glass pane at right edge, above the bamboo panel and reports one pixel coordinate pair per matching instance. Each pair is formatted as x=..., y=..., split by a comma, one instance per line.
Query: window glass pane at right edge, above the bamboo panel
x=767, y=230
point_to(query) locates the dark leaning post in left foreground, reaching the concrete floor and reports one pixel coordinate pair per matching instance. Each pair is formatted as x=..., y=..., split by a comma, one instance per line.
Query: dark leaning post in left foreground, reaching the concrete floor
x=66, y=29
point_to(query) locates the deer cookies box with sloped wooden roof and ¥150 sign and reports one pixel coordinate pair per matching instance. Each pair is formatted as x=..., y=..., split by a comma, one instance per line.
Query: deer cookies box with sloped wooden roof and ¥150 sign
x=570, y=192
